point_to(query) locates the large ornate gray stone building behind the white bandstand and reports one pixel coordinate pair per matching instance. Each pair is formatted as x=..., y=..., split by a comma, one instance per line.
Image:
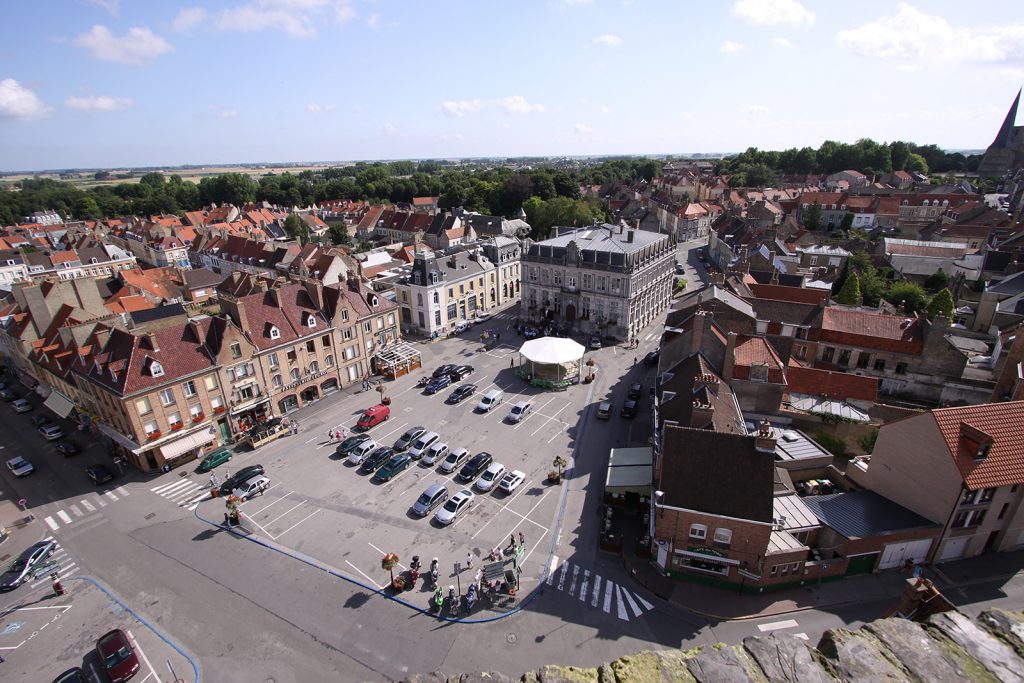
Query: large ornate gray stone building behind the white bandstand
x=602, y=280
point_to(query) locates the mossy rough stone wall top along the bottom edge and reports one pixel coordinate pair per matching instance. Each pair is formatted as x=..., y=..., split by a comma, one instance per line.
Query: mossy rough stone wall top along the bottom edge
x=948, y=647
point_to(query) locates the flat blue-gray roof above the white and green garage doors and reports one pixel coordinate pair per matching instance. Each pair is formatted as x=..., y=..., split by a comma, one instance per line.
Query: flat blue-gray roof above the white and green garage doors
x=862, y=515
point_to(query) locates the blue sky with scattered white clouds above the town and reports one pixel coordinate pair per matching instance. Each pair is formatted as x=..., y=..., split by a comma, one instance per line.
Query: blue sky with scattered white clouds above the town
x=121, y=83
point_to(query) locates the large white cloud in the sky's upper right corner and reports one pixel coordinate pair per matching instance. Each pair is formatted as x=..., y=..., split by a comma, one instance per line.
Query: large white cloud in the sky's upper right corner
x=913, y=35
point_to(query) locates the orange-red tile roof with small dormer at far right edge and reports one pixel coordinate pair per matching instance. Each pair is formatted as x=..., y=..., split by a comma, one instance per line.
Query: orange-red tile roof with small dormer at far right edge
x=1004, y=465
